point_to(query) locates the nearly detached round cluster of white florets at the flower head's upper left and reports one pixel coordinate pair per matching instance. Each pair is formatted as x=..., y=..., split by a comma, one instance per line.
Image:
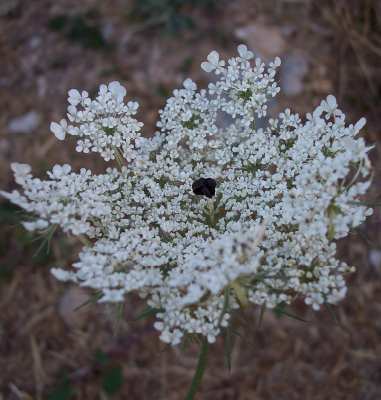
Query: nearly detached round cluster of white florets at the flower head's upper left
x=104, y=125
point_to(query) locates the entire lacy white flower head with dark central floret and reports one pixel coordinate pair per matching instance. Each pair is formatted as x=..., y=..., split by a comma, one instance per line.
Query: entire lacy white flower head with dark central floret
x=205, y=219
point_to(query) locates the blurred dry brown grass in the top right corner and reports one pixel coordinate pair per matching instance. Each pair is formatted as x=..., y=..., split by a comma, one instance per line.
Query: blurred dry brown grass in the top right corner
x=355, y=28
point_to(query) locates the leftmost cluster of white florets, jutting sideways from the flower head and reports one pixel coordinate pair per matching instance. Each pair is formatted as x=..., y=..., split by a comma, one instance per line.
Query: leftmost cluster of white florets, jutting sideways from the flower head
x=80, y=203
